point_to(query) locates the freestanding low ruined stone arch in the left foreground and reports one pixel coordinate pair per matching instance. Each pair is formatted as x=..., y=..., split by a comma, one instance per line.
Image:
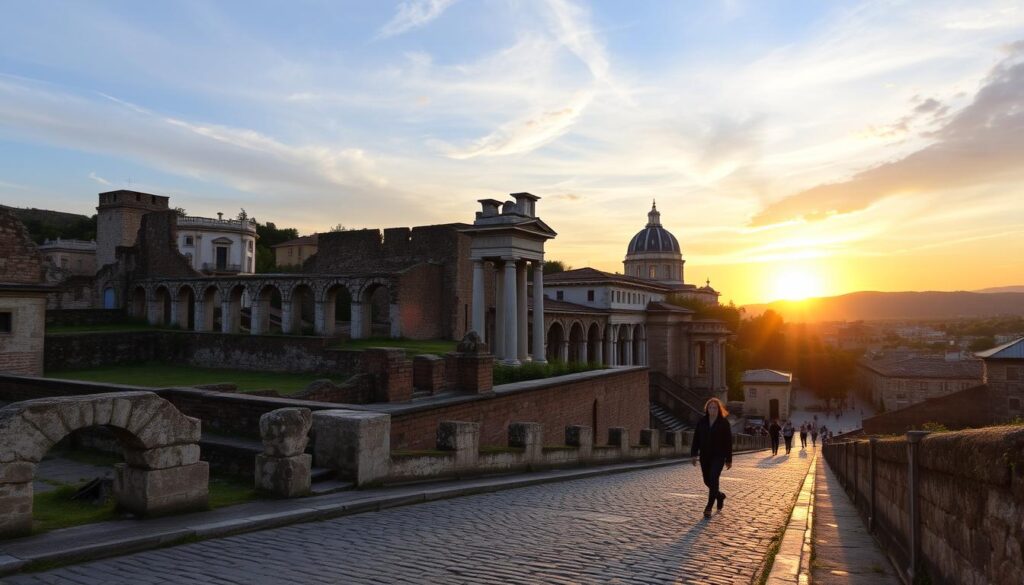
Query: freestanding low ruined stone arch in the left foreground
x=162, y=473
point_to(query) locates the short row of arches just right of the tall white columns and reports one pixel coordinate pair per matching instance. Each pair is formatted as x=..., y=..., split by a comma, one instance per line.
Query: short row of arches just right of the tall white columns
x=609, y=345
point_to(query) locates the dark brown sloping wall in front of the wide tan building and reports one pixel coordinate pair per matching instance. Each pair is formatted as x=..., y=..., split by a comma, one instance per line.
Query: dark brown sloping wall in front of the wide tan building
x=966, y=409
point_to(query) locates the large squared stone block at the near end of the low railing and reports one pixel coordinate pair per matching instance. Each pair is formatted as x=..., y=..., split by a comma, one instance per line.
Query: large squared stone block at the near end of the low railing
x=357, y=444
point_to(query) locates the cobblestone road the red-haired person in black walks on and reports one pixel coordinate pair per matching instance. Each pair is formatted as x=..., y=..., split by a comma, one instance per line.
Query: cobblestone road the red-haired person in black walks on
x=642, y=527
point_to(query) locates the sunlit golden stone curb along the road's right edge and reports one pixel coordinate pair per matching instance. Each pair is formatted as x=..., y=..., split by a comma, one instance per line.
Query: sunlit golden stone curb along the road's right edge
x=793, y=562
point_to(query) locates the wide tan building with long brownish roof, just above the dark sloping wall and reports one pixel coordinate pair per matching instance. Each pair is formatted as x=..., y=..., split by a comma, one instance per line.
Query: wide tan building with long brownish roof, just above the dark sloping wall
x=899, y=380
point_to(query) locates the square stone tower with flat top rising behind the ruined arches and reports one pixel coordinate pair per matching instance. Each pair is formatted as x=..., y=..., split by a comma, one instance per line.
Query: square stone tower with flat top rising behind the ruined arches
x=120, y=215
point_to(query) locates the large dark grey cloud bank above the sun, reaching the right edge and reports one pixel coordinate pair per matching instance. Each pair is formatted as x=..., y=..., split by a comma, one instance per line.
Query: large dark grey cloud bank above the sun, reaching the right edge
x=983, y=143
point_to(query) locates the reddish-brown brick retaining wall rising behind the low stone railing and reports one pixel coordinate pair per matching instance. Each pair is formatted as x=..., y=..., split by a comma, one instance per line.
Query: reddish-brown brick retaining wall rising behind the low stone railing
x=621, y=398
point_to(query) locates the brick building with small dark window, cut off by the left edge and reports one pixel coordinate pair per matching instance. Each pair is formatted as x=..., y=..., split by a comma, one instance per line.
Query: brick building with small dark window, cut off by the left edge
x=23, y=300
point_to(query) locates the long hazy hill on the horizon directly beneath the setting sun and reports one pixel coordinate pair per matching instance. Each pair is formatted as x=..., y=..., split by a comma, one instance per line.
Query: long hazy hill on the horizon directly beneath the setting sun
x=897, y=306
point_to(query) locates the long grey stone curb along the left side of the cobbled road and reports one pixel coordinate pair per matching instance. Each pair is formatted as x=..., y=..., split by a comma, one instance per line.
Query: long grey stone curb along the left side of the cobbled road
x=307, y=510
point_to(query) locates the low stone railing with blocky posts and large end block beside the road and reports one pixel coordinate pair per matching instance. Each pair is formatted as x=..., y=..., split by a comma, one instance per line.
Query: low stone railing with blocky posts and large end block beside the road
x=358, y=446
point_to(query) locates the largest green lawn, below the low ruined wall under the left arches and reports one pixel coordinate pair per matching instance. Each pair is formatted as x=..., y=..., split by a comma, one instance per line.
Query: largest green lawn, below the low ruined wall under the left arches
x=163, y=375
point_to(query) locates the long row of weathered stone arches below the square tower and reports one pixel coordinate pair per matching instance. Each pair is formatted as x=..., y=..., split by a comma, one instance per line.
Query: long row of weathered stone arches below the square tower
x=356, y=310
